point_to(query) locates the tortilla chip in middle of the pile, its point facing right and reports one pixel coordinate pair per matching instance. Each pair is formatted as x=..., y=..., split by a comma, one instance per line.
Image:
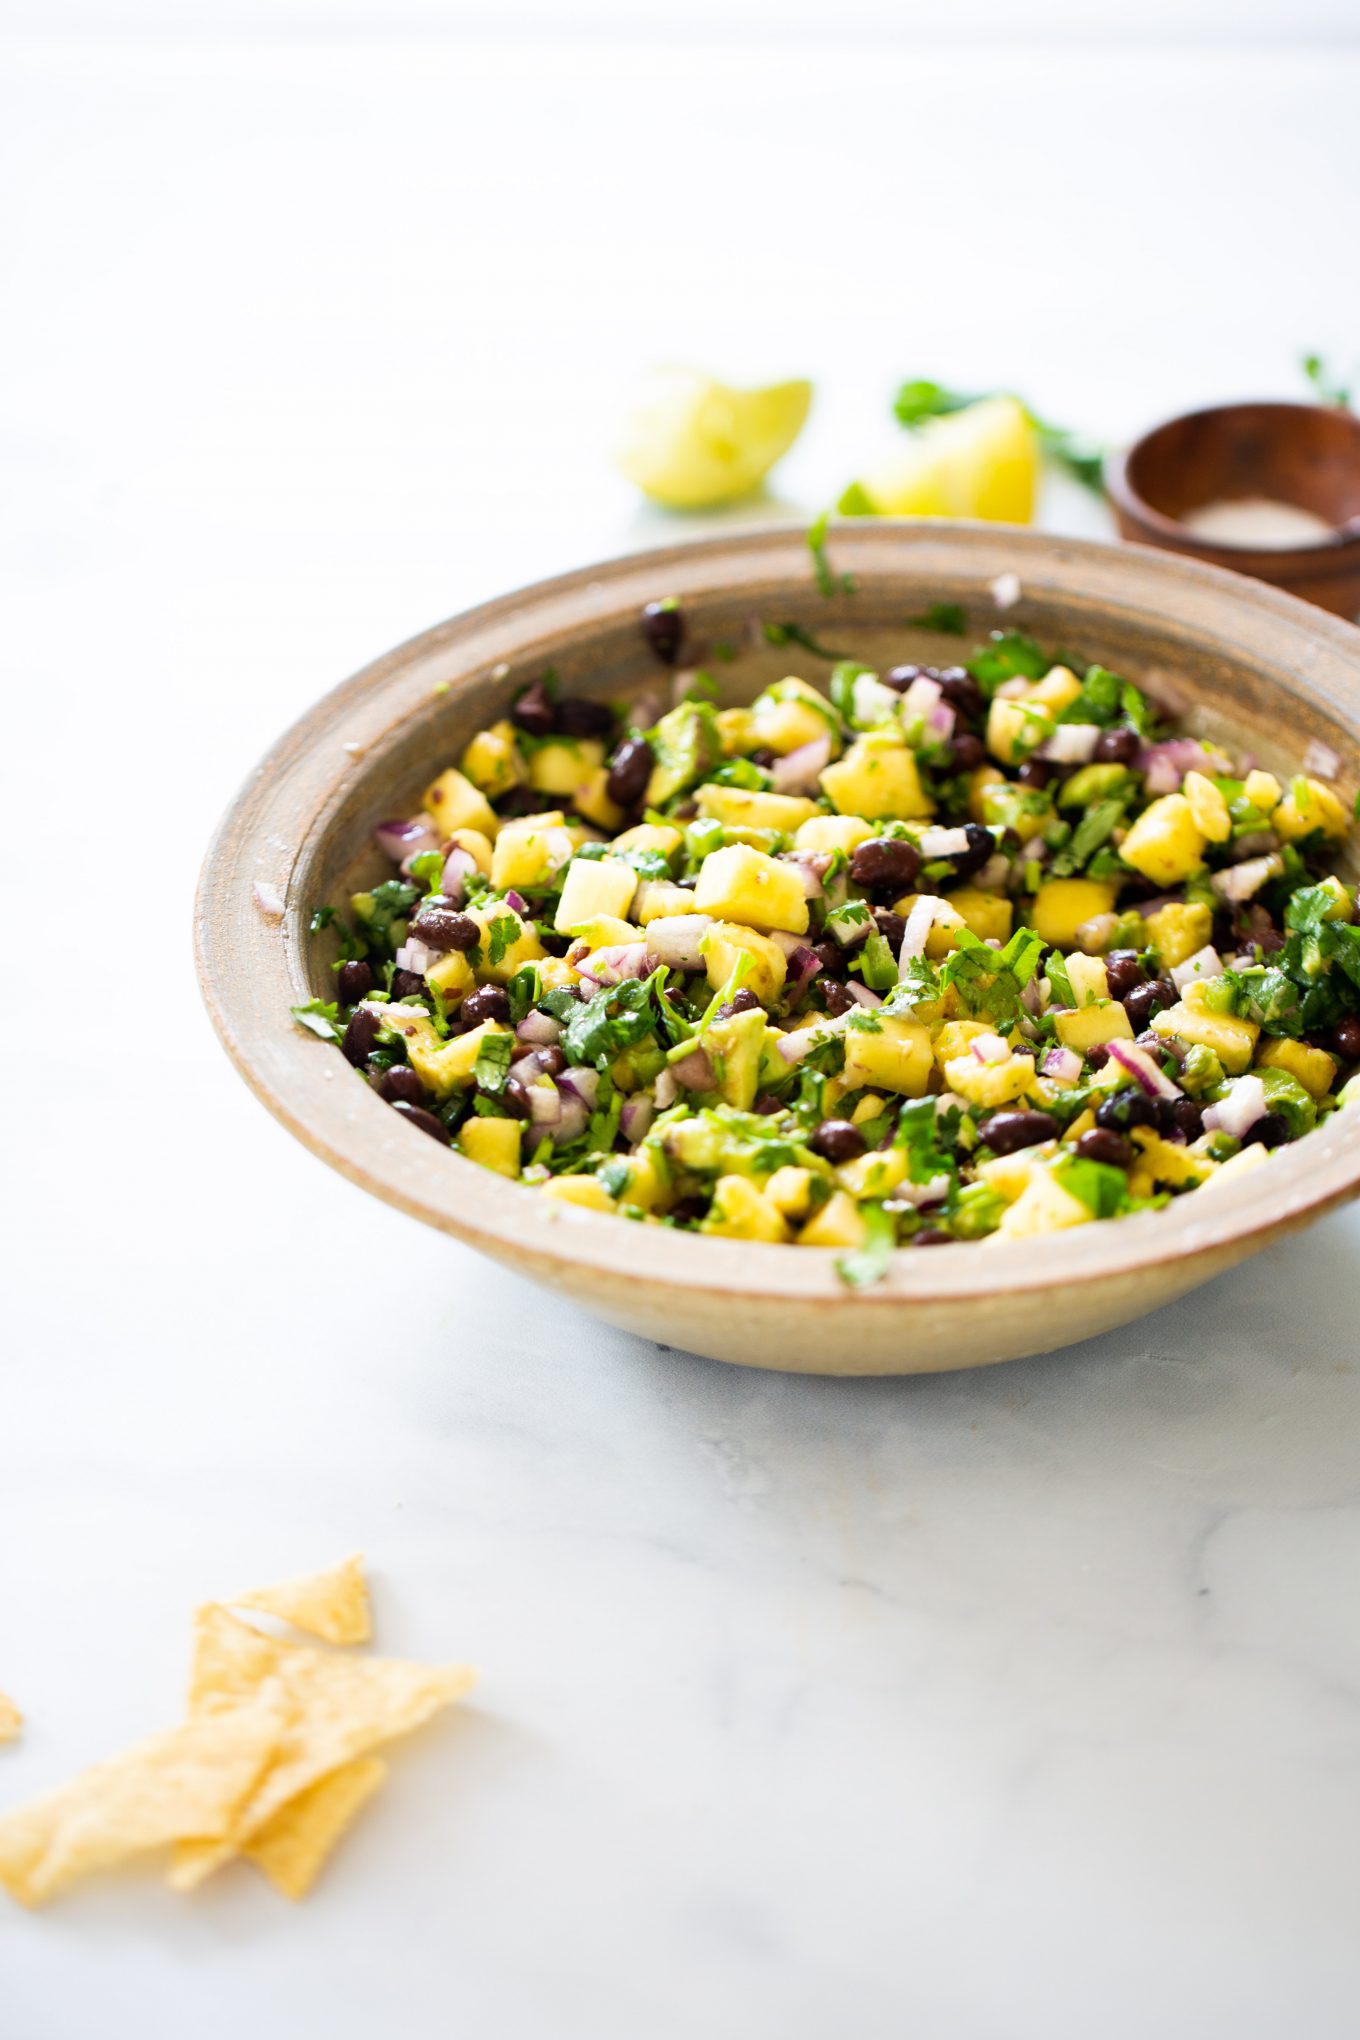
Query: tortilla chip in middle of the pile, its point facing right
x=342, y=1708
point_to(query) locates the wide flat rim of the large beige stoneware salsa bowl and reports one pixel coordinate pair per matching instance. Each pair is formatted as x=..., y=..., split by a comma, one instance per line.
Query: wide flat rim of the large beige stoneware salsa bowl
x=252, y=966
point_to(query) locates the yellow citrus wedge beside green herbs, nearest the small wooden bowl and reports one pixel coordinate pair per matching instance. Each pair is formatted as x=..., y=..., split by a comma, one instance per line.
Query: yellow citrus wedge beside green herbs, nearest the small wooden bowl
x=980, y=462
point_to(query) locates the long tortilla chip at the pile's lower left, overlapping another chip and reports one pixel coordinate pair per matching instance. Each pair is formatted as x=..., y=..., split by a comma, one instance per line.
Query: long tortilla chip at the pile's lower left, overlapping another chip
x=187, y=1782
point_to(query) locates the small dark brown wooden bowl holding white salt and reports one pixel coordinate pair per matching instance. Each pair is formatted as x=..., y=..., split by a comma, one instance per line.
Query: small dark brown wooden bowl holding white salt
x=1294, y=454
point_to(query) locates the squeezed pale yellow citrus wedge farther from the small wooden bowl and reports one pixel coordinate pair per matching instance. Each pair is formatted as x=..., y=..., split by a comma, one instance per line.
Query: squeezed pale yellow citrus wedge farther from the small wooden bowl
x=692, y=442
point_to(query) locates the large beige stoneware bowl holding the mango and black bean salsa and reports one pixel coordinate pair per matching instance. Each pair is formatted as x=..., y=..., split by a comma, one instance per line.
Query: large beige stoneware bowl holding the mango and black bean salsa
x=1239, y=658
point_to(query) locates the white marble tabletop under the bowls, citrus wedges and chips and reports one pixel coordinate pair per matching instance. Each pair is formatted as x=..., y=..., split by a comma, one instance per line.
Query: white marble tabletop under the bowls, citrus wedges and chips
x=1002, y=1706
